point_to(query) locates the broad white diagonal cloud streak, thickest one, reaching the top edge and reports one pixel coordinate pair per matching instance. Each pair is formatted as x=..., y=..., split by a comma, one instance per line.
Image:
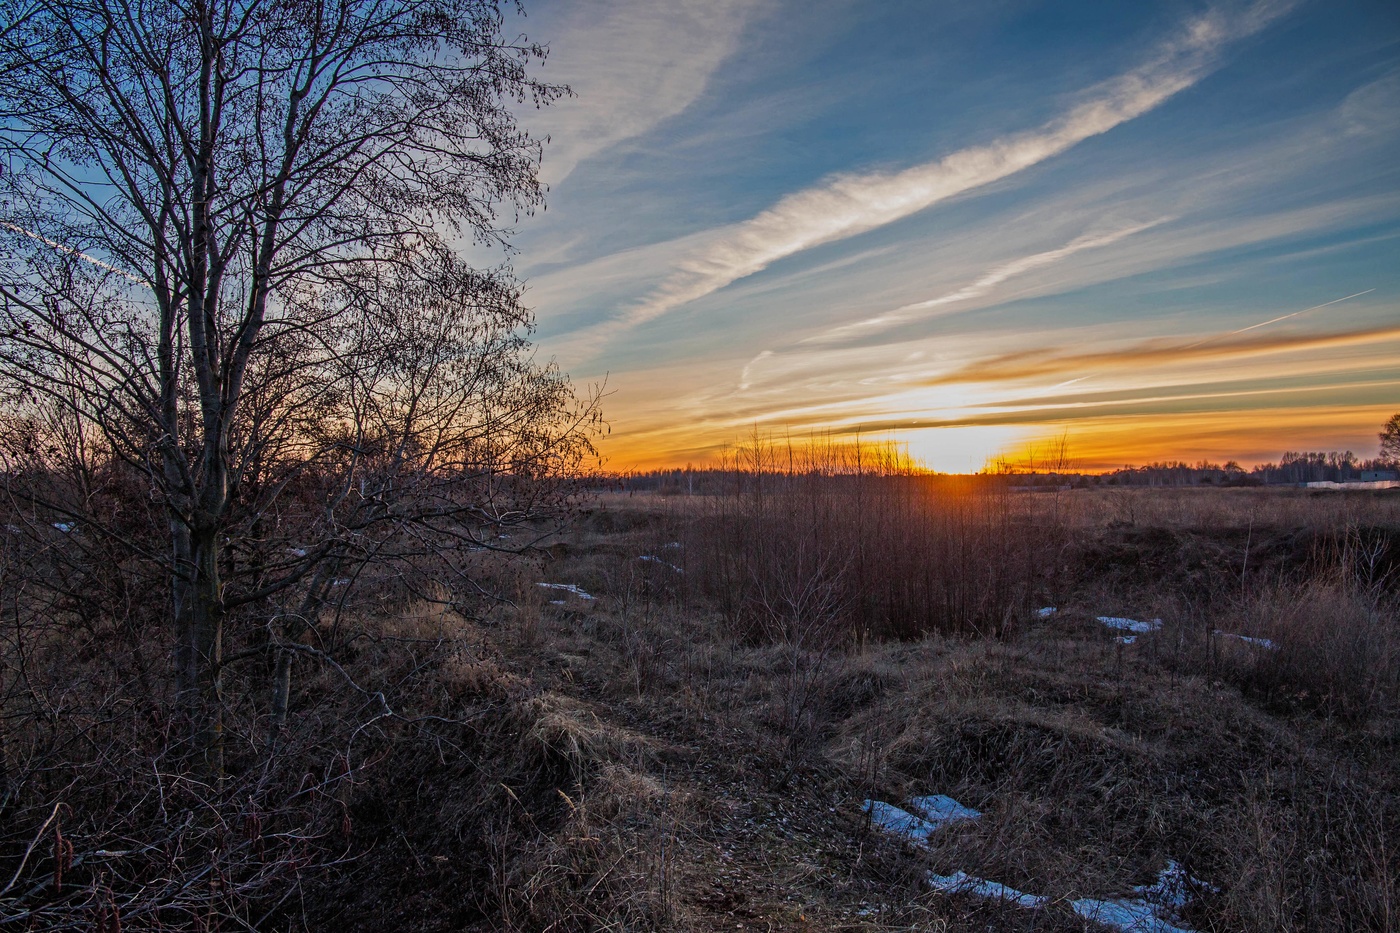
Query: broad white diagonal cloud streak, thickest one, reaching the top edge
x=850, y=205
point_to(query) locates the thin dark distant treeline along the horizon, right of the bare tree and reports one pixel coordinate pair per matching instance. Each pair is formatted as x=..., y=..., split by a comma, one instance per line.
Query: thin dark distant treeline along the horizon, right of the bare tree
x=1293, y=469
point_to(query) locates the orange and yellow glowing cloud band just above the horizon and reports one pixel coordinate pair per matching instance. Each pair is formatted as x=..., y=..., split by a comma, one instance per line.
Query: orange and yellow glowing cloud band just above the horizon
x=1118, y=404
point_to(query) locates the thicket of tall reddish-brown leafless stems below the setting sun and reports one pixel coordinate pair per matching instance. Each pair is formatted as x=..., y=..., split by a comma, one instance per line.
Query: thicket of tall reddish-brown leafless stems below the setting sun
x=873, y=557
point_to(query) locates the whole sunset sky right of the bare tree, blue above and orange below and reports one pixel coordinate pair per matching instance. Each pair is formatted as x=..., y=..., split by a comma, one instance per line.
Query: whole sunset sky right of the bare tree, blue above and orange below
x=1160, y=230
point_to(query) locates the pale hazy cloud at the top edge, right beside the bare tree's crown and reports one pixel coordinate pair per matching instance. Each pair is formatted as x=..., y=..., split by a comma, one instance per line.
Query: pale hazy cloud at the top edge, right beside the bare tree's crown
x=632, y=64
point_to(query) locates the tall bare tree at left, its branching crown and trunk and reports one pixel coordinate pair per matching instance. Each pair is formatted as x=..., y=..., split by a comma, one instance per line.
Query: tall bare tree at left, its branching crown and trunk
x=226, y=230
